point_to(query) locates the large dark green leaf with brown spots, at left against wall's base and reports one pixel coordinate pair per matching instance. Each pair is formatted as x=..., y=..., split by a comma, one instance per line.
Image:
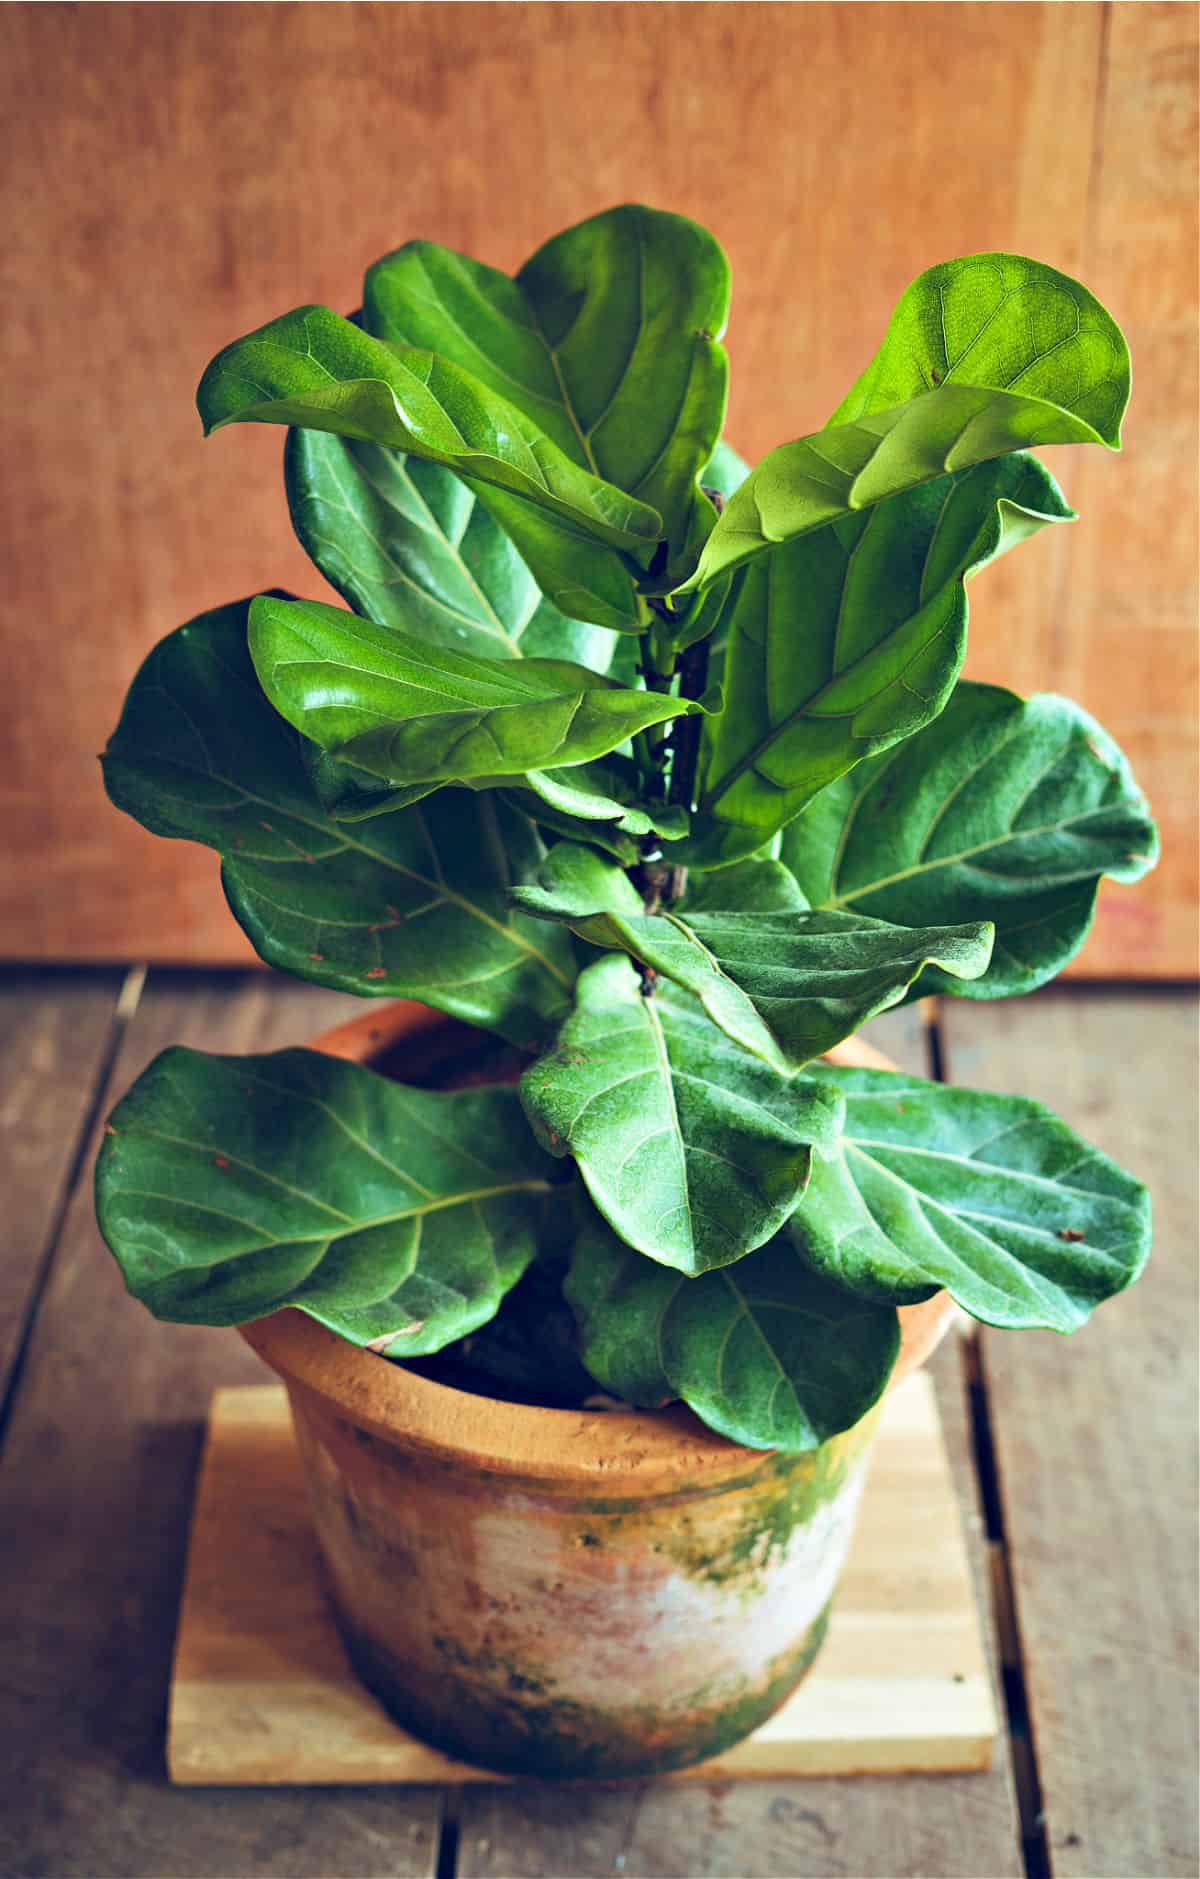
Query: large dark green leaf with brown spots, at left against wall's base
x=410, y=905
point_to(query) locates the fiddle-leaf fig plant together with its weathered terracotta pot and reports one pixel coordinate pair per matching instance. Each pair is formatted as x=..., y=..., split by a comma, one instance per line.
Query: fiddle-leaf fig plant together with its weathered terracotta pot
x=656, y=771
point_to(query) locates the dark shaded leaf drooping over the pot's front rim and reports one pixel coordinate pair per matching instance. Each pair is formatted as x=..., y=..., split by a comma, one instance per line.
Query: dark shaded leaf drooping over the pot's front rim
x=765, y=1352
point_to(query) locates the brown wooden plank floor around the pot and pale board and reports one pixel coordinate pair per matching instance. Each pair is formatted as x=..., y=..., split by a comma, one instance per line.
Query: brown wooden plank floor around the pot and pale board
x=1075, y=1463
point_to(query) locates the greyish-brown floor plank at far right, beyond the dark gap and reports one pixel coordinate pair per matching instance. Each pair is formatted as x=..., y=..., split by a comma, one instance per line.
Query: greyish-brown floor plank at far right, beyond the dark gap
x=1098, y=1444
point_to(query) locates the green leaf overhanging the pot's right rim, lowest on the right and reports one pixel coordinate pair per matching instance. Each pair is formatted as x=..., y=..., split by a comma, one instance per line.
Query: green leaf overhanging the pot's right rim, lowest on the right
x=987, y=1196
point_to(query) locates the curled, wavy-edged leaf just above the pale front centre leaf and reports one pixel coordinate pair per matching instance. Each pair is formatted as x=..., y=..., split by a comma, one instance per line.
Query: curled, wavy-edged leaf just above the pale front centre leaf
x=784, y=986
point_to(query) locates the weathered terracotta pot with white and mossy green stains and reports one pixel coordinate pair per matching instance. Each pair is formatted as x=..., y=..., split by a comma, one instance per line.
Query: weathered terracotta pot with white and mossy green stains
x=562, y=1592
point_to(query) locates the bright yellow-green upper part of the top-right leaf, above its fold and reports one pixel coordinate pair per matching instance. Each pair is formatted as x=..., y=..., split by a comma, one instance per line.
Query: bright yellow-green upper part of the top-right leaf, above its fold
x=1000, y=320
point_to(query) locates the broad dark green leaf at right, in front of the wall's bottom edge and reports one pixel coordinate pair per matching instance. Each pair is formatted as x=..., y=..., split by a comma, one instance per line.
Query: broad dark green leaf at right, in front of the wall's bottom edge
x=1008, y=809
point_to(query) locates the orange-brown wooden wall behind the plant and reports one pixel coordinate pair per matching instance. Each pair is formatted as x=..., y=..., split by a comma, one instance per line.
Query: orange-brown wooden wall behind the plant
x=179, y=174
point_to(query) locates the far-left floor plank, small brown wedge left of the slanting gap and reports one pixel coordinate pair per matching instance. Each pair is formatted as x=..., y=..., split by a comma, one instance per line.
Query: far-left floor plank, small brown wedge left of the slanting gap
x=54, y=1038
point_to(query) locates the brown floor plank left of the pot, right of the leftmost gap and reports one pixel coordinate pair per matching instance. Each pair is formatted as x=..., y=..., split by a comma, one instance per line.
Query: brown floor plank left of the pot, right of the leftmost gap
x=95, y=1499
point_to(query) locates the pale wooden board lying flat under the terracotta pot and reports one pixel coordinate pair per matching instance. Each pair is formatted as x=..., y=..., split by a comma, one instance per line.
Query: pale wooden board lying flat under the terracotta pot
x=262, y=1690
